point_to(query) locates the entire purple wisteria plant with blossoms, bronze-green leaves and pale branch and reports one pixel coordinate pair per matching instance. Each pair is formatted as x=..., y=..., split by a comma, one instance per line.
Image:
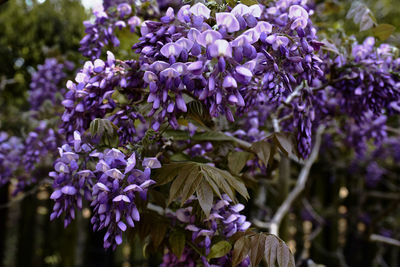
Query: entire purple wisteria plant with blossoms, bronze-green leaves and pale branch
x=185, y=132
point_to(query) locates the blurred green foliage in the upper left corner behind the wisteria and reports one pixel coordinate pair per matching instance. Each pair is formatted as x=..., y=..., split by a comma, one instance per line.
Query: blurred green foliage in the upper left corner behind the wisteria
x=31, y=31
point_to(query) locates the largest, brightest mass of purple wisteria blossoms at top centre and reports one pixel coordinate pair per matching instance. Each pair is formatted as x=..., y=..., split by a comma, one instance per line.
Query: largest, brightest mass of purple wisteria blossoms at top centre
x=225, y=61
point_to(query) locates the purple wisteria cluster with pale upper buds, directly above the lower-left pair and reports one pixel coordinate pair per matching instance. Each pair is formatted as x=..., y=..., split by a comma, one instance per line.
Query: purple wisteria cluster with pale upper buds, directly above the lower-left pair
x=91, y=95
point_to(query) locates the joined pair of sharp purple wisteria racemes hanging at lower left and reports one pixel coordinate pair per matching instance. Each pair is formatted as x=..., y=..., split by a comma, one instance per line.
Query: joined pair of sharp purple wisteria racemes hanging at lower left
x=111, y=184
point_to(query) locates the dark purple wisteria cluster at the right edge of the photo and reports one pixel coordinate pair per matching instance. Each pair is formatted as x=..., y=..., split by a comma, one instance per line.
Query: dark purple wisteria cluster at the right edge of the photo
x=368, y=82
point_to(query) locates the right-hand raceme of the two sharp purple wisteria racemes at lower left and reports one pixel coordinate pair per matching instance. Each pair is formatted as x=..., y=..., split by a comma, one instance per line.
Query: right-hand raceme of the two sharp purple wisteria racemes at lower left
x=114, y=194
